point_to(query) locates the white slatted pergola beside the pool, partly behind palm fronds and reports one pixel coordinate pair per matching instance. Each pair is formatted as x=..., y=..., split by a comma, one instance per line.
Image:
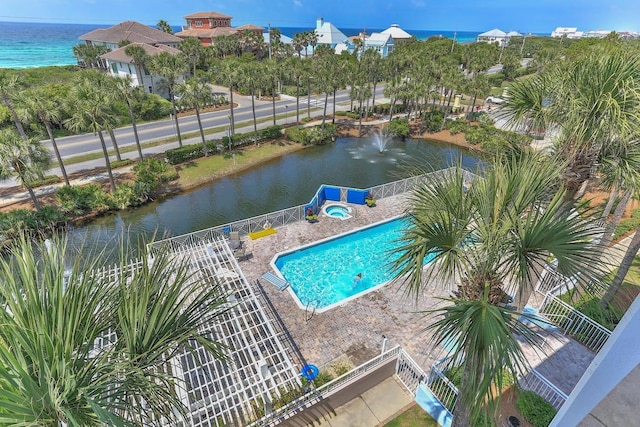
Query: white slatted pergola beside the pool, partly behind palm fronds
x=260, y=361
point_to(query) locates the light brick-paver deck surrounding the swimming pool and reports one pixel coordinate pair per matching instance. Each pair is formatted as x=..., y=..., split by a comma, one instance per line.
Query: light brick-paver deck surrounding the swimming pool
x=356, y=329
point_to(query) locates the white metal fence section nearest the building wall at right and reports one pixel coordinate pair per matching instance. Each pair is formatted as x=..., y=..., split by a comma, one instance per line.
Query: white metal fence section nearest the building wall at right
x=573, y=322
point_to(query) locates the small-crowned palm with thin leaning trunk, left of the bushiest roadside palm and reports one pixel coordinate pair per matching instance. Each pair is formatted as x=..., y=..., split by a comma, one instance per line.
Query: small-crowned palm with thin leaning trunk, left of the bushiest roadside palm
x=38, y=104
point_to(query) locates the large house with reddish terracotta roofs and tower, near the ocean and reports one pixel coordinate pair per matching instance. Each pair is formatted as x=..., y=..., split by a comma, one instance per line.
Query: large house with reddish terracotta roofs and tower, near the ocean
x=206, y=26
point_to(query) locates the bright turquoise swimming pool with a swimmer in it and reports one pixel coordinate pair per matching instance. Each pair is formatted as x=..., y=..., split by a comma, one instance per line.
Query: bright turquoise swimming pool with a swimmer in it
x=324, y=274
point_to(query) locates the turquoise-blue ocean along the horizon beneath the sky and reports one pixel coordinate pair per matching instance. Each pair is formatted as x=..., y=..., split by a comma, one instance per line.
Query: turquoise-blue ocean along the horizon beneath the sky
x=27, y=45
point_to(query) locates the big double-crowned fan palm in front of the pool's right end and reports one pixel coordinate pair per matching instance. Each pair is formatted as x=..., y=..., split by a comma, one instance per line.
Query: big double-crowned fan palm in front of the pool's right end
x=490, y=238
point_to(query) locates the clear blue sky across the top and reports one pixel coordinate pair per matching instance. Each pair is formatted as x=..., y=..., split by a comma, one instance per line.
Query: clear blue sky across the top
x=537, y=16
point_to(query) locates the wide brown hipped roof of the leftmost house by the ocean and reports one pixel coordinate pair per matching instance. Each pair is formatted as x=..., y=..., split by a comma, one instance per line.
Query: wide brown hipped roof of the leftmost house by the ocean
x=132, y=31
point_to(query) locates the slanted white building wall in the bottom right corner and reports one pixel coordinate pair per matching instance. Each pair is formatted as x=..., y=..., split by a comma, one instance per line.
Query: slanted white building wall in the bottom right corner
x=617, y=359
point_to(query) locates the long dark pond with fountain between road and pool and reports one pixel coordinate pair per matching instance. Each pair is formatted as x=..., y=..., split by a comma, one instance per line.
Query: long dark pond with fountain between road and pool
x=280, y=183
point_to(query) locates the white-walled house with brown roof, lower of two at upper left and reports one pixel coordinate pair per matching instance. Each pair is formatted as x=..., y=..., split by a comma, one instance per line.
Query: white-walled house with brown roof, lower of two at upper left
x=119, y=64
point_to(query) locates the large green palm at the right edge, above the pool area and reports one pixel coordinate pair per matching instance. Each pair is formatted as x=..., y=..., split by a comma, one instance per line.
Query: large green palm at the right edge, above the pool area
x=592, y=102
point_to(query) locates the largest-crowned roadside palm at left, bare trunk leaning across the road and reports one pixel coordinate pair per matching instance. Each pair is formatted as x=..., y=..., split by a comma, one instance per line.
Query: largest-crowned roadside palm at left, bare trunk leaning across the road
x=92, y=112
